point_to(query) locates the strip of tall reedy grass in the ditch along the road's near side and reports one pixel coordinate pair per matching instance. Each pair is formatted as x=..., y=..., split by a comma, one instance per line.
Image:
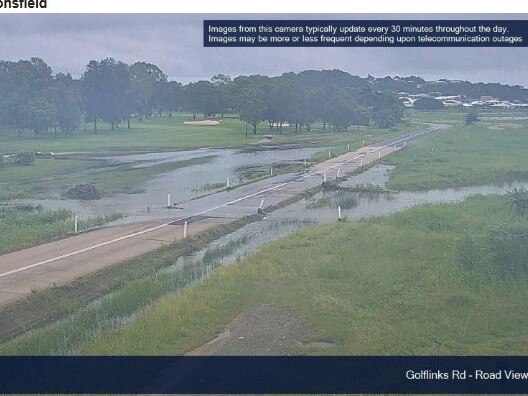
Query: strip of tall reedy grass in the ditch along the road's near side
x=119, y=308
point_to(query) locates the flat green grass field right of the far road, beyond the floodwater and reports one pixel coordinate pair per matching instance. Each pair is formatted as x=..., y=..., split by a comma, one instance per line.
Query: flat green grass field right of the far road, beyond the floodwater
x=491, y=152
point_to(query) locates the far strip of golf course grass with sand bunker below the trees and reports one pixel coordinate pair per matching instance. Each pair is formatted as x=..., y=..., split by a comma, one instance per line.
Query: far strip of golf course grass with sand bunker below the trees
x=166, y=134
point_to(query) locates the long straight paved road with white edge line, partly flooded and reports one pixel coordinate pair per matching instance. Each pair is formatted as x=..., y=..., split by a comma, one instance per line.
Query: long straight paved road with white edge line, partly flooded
x=64, y=260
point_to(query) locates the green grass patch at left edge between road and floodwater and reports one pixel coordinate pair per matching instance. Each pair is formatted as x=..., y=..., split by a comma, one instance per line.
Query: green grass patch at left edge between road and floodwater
x=26, y=225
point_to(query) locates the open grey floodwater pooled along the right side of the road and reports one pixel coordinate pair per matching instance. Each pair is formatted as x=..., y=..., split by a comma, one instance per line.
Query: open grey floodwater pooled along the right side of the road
x=285, y=221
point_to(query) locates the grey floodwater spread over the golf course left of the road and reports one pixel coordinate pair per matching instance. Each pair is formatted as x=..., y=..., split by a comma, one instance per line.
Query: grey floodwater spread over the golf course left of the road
x=182, y=184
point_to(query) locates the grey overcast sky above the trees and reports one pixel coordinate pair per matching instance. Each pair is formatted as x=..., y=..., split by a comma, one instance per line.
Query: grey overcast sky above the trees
x=174, y=43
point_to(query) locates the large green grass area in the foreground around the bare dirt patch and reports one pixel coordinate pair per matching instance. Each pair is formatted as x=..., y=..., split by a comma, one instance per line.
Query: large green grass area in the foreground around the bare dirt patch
x=389, y=285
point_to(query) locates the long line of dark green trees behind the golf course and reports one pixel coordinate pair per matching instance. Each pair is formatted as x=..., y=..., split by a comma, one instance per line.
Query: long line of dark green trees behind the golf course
x=33, y=98
